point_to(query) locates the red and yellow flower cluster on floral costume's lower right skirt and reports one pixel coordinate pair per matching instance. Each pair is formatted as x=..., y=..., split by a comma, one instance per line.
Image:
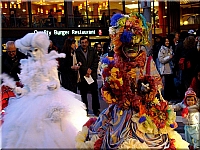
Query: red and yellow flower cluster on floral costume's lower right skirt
x=159, y=118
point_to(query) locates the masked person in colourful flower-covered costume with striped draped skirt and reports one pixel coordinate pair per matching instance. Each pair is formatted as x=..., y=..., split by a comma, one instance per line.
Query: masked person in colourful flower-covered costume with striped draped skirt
x=137, y=116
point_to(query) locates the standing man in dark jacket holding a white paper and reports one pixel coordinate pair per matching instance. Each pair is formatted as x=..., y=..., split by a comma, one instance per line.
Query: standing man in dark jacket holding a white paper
x=89, y=60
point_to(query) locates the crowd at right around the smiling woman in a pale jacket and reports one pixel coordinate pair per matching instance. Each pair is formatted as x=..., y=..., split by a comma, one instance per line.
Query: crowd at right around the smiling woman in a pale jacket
x=177, y=60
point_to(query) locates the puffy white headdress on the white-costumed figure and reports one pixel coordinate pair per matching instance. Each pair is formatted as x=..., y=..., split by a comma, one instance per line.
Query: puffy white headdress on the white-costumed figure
x=38, y=40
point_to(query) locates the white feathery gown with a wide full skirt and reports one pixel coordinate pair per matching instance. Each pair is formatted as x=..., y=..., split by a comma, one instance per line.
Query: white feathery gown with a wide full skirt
x=42, y=118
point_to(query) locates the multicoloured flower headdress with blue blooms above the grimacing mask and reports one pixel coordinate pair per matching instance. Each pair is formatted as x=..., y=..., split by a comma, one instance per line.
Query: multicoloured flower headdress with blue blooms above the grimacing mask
x=131, y=28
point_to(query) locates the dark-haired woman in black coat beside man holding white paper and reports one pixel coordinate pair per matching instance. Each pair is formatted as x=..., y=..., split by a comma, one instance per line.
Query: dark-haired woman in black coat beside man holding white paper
x=69, y=66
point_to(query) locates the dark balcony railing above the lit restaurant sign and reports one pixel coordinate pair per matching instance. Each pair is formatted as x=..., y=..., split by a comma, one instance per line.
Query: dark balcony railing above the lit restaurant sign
x=43, y=21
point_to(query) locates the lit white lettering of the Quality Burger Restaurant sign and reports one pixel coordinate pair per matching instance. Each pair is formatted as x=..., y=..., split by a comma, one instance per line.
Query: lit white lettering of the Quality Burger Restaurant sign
x=68, y=32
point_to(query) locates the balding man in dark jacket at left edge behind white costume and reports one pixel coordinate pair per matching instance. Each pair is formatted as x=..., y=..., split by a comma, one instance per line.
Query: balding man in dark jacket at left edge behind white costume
x=11, y=60
